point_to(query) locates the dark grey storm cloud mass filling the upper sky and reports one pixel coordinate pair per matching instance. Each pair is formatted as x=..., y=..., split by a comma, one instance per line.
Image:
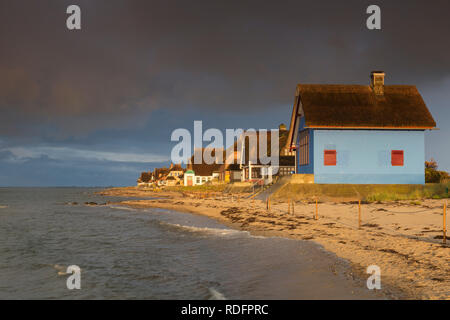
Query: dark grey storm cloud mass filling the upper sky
x=133, y=57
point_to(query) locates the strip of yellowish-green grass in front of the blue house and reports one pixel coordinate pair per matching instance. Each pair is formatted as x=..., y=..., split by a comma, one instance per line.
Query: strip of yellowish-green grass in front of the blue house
x=369, y=193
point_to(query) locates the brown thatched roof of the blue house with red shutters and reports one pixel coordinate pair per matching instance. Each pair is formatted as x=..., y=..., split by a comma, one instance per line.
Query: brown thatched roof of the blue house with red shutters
x=357, y=106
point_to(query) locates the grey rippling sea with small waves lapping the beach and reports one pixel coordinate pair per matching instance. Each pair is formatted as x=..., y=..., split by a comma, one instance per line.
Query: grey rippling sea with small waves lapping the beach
x=125, y=253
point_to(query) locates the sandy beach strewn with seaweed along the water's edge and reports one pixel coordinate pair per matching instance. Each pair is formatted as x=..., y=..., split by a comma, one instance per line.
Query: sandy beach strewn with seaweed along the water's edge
x=403, y=238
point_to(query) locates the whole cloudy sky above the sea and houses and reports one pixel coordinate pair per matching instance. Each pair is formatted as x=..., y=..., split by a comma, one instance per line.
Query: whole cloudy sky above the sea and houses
x=96, y=106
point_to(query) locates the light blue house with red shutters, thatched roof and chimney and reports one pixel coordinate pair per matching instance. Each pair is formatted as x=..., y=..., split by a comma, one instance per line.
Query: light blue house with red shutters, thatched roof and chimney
x=360, y=134
